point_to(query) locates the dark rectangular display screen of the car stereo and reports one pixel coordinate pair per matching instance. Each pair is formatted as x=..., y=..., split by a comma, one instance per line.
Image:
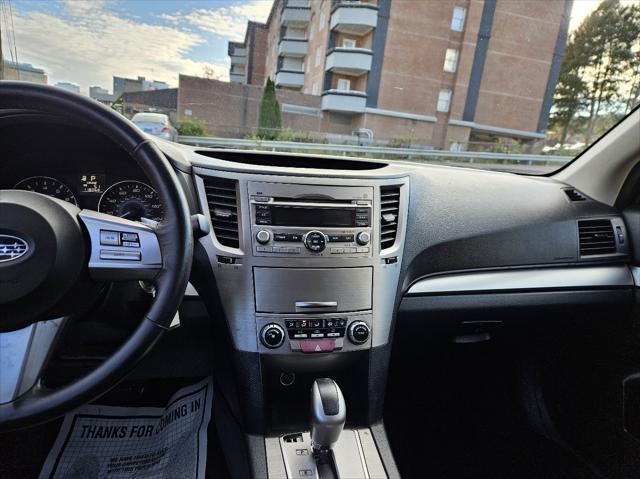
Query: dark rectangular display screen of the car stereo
x=329, y=217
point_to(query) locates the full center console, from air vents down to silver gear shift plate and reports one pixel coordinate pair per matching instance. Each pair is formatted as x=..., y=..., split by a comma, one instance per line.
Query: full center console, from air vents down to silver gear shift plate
x=306, y=271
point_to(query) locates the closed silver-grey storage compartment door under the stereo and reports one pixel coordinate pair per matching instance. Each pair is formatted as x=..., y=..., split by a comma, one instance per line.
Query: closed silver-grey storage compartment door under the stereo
x=308, y=290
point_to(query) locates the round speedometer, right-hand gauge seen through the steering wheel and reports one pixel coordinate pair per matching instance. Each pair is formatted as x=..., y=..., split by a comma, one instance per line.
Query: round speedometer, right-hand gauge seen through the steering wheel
x=132, y=200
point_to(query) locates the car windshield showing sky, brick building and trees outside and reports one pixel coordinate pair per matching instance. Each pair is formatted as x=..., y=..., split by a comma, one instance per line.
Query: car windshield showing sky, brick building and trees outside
x=520, y=86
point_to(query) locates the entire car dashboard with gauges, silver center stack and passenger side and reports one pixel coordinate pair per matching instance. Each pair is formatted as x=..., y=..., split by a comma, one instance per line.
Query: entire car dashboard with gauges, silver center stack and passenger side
x=306, y=265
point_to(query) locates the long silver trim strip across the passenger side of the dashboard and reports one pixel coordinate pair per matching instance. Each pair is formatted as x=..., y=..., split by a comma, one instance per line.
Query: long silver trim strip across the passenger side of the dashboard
x=525, y=279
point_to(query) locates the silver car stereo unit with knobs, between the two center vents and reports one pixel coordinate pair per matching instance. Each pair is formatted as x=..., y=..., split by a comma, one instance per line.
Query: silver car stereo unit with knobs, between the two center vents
x=310, y=221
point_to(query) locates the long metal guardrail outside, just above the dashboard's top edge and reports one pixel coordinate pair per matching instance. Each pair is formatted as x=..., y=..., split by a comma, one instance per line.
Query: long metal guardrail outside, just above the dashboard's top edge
x=408, y=153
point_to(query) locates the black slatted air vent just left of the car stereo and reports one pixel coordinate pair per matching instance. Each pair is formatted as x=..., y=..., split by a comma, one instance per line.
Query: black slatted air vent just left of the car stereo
x=222, y=198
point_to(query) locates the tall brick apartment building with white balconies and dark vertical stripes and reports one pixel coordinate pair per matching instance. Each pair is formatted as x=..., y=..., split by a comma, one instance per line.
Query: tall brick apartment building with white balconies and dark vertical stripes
x=445, y=72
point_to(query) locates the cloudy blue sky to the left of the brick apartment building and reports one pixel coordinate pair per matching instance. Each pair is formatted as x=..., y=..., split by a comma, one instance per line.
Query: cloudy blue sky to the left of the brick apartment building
x=87, y=42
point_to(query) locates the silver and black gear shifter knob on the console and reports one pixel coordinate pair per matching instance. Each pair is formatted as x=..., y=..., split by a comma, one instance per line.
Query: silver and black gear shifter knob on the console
x=328, y=414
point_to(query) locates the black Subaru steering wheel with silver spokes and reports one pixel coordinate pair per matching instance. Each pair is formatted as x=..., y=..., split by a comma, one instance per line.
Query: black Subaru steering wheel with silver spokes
x=52, y=253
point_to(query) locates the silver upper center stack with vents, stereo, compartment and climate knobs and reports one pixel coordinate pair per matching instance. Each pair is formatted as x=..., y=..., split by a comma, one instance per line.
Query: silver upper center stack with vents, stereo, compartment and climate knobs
x=316, y=265
